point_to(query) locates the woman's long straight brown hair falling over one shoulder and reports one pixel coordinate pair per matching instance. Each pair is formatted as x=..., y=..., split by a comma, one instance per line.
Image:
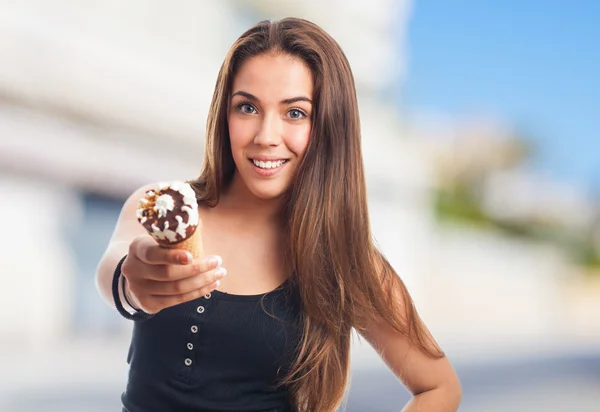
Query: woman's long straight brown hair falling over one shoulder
x=343, y=280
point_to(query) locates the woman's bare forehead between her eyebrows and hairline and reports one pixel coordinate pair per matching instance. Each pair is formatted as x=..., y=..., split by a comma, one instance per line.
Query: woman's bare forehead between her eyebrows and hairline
x=274, y=77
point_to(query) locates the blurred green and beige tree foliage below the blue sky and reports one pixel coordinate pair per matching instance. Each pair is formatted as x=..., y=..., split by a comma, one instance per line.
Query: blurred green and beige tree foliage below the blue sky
x=464, y=168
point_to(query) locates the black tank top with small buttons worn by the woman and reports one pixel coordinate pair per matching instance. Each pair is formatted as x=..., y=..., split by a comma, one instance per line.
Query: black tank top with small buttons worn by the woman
x=219, y=353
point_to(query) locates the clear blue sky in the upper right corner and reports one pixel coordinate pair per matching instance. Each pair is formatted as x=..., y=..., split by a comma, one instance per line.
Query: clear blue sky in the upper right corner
x=535, y=64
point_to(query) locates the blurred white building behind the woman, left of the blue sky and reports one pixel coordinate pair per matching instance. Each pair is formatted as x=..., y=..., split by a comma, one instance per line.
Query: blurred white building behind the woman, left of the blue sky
x=97, y=99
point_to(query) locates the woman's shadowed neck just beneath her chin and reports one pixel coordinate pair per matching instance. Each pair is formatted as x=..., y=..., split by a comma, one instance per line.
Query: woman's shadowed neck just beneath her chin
x=238, y=200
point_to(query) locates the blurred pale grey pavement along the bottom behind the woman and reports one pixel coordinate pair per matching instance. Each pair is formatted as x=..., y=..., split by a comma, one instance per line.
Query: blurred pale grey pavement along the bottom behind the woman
x=89, y=375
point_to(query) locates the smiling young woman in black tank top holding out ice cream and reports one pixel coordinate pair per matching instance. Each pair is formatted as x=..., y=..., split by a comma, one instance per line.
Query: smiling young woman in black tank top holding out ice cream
x=263, y=321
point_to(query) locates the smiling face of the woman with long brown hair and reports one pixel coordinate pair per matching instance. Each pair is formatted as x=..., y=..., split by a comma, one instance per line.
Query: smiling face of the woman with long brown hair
x=270, y=121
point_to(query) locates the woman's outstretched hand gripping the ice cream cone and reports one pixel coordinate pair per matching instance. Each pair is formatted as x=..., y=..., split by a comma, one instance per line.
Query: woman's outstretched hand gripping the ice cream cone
x=157, y=277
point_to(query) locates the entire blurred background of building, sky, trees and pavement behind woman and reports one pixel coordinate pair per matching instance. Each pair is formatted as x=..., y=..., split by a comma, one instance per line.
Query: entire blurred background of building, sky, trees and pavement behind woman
x=482, y=152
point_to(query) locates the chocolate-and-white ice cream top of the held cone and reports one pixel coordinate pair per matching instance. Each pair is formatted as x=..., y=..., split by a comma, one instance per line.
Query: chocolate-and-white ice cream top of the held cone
x=169, y=213
